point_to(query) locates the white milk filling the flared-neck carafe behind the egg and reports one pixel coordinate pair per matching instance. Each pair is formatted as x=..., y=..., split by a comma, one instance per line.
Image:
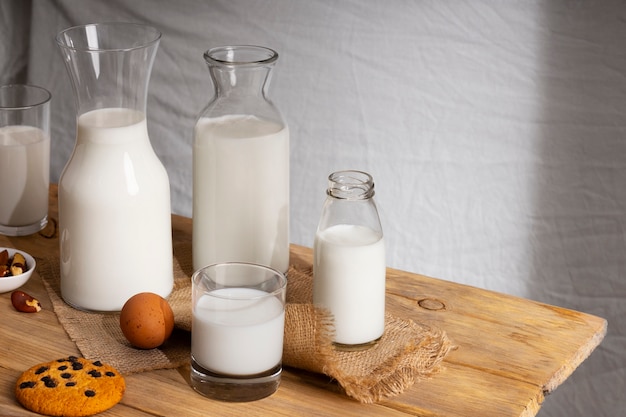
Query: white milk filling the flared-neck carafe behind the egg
x=114, y=214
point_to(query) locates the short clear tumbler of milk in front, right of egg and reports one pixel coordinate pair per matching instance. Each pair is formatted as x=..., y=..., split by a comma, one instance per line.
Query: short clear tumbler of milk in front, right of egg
x=237, y=331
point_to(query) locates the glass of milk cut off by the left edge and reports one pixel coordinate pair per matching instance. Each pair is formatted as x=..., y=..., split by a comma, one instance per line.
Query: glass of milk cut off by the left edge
x=24, y=159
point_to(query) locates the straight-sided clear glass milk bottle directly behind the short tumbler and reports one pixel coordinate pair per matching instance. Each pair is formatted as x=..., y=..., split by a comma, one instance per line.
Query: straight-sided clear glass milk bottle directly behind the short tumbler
x=241, y=165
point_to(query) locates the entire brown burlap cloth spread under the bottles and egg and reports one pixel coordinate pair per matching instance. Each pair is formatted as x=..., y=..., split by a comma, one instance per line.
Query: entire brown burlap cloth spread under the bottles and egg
x=407, y=352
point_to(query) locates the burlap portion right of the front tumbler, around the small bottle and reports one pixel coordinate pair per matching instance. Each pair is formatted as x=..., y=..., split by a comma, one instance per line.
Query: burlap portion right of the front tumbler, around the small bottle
x=406, y=353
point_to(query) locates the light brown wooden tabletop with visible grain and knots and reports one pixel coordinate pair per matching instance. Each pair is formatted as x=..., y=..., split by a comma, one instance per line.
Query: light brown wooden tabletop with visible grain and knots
x=510, y=352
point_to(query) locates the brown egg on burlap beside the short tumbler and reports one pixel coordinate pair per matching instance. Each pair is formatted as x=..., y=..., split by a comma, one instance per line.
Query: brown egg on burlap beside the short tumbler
x=147, y=320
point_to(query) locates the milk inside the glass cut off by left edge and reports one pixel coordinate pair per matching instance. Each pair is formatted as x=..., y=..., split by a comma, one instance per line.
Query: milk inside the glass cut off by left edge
x=24, y=175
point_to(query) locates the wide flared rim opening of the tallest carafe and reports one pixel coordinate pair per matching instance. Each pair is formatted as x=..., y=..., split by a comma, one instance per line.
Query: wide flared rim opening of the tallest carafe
x=108, y=37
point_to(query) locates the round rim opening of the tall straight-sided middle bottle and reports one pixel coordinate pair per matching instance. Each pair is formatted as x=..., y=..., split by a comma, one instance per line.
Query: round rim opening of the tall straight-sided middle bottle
x=241, y=55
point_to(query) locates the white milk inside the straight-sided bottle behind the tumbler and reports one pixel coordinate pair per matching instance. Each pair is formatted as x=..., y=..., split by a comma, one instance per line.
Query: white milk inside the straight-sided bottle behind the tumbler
x=241, y=192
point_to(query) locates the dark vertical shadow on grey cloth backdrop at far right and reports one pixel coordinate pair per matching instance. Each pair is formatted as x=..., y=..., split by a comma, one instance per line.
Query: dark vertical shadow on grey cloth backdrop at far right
x=578, y=239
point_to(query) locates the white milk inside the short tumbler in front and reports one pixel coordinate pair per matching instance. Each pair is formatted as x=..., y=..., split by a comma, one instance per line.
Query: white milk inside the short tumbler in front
x=237, y=337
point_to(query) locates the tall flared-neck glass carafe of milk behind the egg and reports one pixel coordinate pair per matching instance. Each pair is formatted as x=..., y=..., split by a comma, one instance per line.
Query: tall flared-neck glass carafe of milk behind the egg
x=114, y=195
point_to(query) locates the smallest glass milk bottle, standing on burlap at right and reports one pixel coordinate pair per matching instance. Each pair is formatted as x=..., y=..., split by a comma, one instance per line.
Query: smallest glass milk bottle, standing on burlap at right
x=349, y=261
